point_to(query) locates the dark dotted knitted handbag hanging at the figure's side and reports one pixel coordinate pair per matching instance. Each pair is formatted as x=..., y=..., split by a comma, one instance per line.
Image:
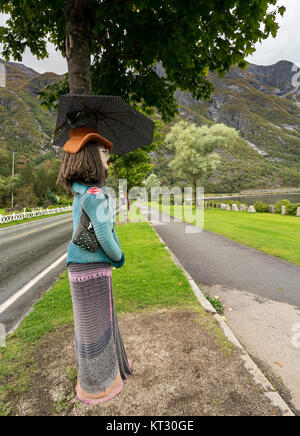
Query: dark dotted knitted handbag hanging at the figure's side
x=85, y=236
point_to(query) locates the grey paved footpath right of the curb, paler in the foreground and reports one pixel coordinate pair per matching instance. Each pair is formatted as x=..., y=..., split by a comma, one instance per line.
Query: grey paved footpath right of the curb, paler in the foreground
x=261, y=293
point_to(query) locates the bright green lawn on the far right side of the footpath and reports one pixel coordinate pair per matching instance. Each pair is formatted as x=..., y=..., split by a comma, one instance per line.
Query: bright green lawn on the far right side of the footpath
x=274, y=234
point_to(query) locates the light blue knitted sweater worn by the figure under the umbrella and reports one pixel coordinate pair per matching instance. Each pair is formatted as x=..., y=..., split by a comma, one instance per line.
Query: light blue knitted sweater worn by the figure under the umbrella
x=102, y=217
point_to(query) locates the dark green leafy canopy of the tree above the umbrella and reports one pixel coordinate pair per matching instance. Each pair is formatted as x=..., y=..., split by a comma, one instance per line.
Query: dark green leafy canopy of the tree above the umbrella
x=128, y=37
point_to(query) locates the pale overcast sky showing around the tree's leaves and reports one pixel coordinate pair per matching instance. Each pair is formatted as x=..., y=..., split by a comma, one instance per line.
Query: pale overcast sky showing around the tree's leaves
x=286, y=46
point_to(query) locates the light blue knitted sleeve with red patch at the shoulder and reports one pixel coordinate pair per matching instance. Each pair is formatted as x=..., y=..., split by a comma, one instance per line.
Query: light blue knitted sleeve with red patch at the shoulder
x=96, y=206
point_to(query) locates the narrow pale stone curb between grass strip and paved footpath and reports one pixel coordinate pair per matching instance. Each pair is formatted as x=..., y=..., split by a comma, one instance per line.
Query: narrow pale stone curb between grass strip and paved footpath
x=250, y=365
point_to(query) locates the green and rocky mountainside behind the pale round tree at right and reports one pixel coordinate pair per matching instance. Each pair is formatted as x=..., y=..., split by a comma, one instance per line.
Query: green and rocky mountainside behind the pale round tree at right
x=268, y=118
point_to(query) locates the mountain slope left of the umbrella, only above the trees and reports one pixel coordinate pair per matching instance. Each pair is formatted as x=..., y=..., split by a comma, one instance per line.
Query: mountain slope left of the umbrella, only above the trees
x=25, y=126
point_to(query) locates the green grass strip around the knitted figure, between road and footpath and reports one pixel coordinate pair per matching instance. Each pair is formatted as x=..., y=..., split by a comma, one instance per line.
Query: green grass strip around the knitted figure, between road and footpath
x=149, y=280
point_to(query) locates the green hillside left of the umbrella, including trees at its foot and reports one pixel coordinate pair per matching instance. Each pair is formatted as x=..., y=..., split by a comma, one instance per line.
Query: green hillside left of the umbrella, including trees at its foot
x=26, y=131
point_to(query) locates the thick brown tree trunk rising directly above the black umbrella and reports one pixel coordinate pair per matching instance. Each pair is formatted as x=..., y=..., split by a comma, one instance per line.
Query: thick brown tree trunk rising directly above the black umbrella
x=78, y=37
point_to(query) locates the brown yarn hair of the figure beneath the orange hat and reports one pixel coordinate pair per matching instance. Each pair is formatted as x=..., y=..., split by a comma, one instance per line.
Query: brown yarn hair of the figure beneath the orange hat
x=83, y=167
